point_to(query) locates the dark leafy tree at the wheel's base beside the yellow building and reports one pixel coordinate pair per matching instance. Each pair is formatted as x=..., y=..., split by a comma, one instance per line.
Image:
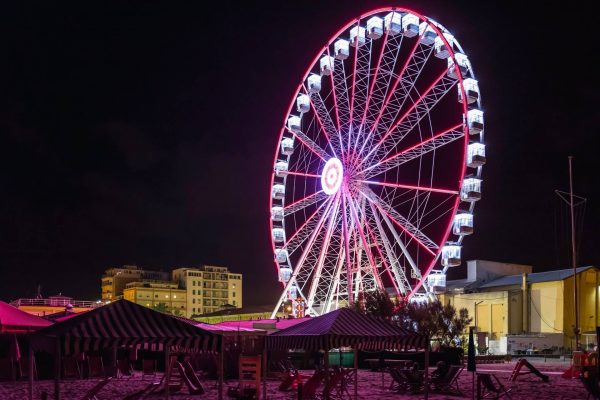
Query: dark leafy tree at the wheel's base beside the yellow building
x=438, y=321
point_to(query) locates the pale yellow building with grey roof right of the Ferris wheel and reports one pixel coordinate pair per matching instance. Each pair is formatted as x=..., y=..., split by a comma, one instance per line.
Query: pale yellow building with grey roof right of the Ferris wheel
x=493, y=294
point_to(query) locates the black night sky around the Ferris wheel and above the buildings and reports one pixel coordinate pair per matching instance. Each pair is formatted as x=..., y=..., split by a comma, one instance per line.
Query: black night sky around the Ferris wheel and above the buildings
x=144, y=134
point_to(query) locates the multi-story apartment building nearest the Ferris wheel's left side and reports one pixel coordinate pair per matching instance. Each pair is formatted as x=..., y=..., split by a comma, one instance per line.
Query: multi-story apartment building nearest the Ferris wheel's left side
x=209, y=288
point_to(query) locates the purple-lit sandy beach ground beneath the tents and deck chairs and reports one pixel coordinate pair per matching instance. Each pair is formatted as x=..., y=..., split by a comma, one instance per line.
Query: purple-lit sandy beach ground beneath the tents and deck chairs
x=370, y=386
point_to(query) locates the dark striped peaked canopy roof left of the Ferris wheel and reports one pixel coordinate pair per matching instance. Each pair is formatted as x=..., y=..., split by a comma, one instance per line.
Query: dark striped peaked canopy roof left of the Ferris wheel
x=123, y=323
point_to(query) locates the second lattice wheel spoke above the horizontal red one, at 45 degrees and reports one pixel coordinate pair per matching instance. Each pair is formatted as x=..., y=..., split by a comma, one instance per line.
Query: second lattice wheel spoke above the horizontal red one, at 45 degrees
x=419, y=110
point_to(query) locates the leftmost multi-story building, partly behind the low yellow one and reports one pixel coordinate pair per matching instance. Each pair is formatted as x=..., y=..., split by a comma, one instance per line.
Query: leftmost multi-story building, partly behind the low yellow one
x=115, y=279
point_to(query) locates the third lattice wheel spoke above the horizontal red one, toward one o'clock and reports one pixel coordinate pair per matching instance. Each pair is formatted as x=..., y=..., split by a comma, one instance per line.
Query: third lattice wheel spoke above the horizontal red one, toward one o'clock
x=406, y=79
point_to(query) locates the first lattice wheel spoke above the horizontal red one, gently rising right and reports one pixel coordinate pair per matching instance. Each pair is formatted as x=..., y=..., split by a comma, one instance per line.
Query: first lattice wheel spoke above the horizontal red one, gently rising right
x=418, y=150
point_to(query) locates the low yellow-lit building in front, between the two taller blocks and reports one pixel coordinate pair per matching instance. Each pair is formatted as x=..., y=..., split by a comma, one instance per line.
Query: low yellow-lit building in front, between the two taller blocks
x=156, y=294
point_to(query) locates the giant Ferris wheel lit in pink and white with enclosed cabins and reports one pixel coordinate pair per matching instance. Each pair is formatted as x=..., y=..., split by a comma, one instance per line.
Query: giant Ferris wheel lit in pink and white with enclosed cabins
x=378, y=164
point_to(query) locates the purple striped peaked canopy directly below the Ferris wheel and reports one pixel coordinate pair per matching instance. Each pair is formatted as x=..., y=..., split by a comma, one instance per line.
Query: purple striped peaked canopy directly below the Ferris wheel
x=345, y=328
